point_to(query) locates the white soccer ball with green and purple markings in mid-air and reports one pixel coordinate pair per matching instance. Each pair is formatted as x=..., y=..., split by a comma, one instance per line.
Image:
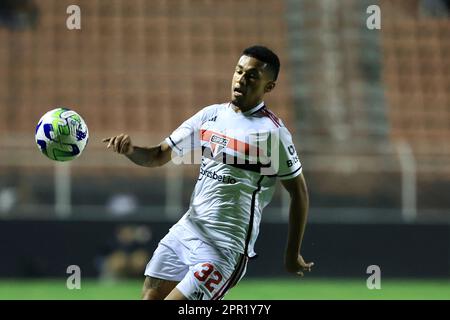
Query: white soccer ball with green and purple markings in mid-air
x=61, y=134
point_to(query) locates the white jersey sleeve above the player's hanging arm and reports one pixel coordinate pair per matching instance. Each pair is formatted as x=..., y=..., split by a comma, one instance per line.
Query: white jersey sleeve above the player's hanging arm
x=289, y=165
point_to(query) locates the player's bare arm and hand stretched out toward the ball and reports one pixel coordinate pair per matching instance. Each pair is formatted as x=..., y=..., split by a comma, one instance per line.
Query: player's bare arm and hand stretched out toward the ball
x=144, y=156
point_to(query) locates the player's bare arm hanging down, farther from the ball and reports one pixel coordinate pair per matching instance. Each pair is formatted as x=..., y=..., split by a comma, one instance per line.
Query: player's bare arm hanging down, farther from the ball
x=298, y=212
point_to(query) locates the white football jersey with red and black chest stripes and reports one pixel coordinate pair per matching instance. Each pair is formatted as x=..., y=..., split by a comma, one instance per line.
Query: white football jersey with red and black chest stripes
x=242, y=154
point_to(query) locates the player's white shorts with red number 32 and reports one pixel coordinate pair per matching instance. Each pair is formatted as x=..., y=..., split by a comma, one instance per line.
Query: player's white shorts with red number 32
x=204, y=272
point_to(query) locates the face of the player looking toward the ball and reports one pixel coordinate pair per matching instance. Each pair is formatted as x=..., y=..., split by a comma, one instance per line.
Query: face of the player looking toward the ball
x=251, y=80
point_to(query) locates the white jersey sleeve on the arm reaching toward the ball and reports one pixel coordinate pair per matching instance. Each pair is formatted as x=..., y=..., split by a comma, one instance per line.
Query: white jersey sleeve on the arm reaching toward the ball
x=187, y=136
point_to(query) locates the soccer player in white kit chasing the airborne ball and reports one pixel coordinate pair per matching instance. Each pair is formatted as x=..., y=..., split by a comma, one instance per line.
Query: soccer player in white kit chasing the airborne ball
x=245, y=148
